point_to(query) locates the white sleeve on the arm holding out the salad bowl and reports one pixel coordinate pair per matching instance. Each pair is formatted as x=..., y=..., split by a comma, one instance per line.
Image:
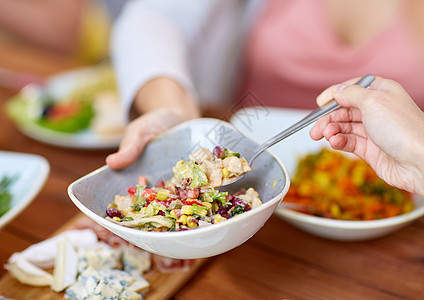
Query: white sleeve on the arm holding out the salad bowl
x=153, y=38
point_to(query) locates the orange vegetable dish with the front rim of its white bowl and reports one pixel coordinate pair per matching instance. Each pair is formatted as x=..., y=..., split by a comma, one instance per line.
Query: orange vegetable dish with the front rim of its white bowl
x=340, y=197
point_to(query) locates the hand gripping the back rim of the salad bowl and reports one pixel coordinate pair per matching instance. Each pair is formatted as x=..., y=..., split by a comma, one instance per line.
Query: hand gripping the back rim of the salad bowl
x=165, y=104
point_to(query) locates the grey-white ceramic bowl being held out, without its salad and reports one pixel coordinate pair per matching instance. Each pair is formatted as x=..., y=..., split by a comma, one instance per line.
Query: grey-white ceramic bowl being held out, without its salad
x=93, y=192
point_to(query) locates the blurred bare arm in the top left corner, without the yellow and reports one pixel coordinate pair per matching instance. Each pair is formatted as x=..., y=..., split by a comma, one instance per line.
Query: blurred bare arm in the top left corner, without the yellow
x=49, y=23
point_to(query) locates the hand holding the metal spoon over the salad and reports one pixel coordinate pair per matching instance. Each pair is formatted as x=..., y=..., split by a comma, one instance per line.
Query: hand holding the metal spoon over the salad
x=381, y=125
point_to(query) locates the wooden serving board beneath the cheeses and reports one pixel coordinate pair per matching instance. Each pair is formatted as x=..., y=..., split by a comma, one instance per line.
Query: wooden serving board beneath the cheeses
x=162, y=285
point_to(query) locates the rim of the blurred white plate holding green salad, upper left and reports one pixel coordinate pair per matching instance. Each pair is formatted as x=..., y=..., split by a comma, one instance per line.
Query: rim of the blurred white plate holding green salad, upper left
x=59, y=86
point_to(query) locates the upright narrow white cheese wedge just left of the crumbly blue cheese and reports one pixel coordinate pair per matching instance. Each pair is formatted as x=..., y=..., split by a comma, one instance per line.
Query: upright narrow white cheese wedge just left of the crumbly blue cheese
x=65, y=267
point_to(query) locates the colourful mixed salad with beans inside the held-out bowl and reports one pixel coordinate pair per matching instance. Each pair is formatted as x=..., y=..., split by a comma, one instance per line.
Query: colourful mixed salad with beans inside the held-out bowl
x=189, y=199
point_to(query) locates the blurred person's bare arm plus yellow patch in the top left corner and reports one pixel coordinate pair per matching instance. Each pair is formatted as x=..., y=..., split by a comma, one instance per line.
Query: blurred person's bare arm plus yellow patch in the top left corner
x=79, y=28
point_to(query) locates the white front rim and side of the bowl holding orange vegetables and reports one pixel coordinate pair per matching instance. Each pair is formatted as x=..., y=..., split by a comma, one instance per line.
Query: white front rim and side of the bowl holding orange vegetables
x=342, y=230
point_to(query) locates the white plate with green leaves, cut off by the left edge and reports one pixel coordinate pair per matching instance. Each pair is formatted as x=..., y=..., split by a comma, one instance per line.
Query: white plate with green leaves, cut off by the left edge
x=31, y=172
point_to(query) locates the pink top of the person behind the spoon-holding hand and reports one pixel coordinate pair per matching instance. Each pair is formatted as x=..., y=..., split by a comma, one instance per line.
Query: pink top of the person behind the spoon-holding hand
x=289, y=62
